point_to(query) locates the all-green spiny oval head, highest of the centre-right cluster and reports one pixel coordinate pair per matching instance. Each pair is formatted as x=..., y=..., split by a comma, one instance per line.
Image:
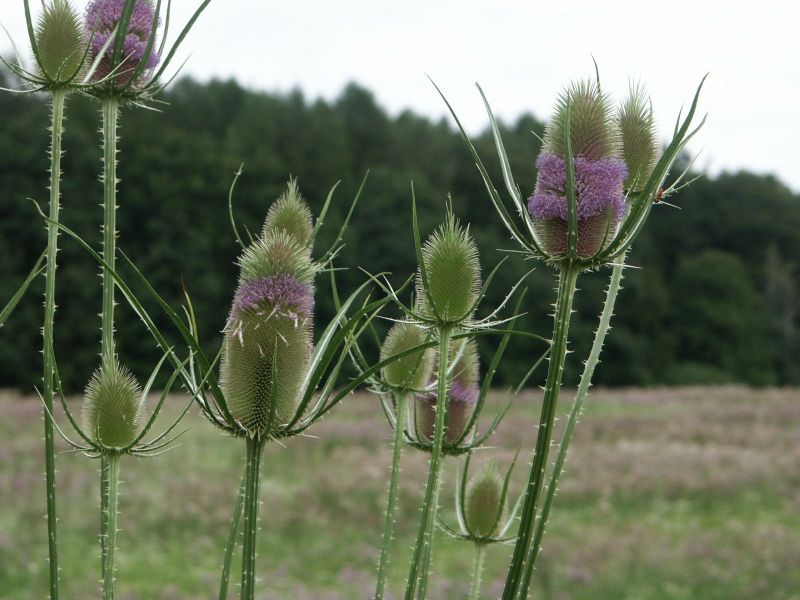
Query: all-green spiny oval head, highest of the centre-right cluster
x=450, y=258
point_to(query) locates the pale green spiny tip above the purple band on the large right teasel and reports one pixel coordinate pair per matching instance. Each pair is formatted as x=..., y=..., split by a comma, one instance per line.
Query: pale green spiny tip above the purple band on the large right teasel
x=594, y=131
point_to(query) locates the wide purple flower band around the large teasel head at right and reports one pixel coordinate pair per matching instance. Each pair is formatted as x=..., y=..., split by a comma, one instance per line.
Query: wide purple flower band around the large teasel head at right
x=598, y=186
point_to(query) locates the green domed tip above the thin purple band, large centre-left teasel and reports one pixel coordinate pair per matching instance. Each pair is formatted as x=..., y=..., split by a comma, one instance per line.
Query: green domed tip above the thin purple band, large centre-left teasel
x=277, y=253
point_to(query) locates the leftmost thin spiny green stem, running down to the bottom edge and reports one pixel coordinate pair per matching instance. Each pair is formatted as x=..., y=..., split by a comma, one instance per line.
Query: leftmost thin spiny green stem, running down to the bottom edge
x=57, y=130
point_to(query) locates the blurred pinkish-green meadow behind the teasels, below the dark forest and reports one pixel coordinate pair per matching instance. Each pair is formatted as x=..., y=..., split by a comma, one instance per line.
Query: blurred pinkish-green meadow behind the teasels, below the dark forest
x=669, y=494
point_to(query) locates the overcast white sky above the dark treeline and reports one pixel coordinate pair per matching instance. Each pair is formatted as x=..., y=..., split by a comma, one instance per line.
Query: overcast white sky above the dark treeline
x=522, y=52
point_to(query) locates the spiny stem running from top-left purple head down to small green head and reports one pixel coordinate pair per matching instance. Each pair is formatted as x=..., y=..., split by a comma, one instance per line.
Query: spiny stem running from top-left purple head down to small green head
x=110, y=119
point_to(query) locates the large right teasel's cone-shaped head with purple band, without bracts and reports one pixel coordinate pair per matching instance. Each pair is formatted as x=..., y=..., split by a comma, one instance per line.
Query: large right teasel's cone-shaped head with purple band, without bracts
x=599, y=173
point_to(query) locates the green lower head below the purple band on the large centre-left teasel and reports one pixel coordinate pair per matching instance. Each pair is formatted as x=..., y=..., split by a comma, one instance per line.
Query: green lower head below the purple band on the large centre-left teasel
x=264, y=362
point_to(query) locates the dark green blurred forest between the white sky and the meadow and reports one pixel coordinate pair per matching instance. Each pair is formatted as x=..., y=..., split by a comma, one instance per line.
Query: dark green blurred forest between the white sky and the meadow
x=715, y=299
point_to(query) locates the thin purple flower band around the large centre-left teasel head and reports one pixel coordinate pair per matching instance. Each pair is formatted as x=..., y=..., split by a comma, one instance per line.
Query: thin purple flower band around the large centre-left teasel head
x=283, y=293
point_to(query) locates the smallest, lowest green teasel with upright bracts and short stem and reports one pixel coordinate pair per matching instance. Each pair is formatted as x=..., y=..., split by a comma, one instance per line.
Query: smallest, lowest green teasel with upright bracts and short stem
x=480, y=507
